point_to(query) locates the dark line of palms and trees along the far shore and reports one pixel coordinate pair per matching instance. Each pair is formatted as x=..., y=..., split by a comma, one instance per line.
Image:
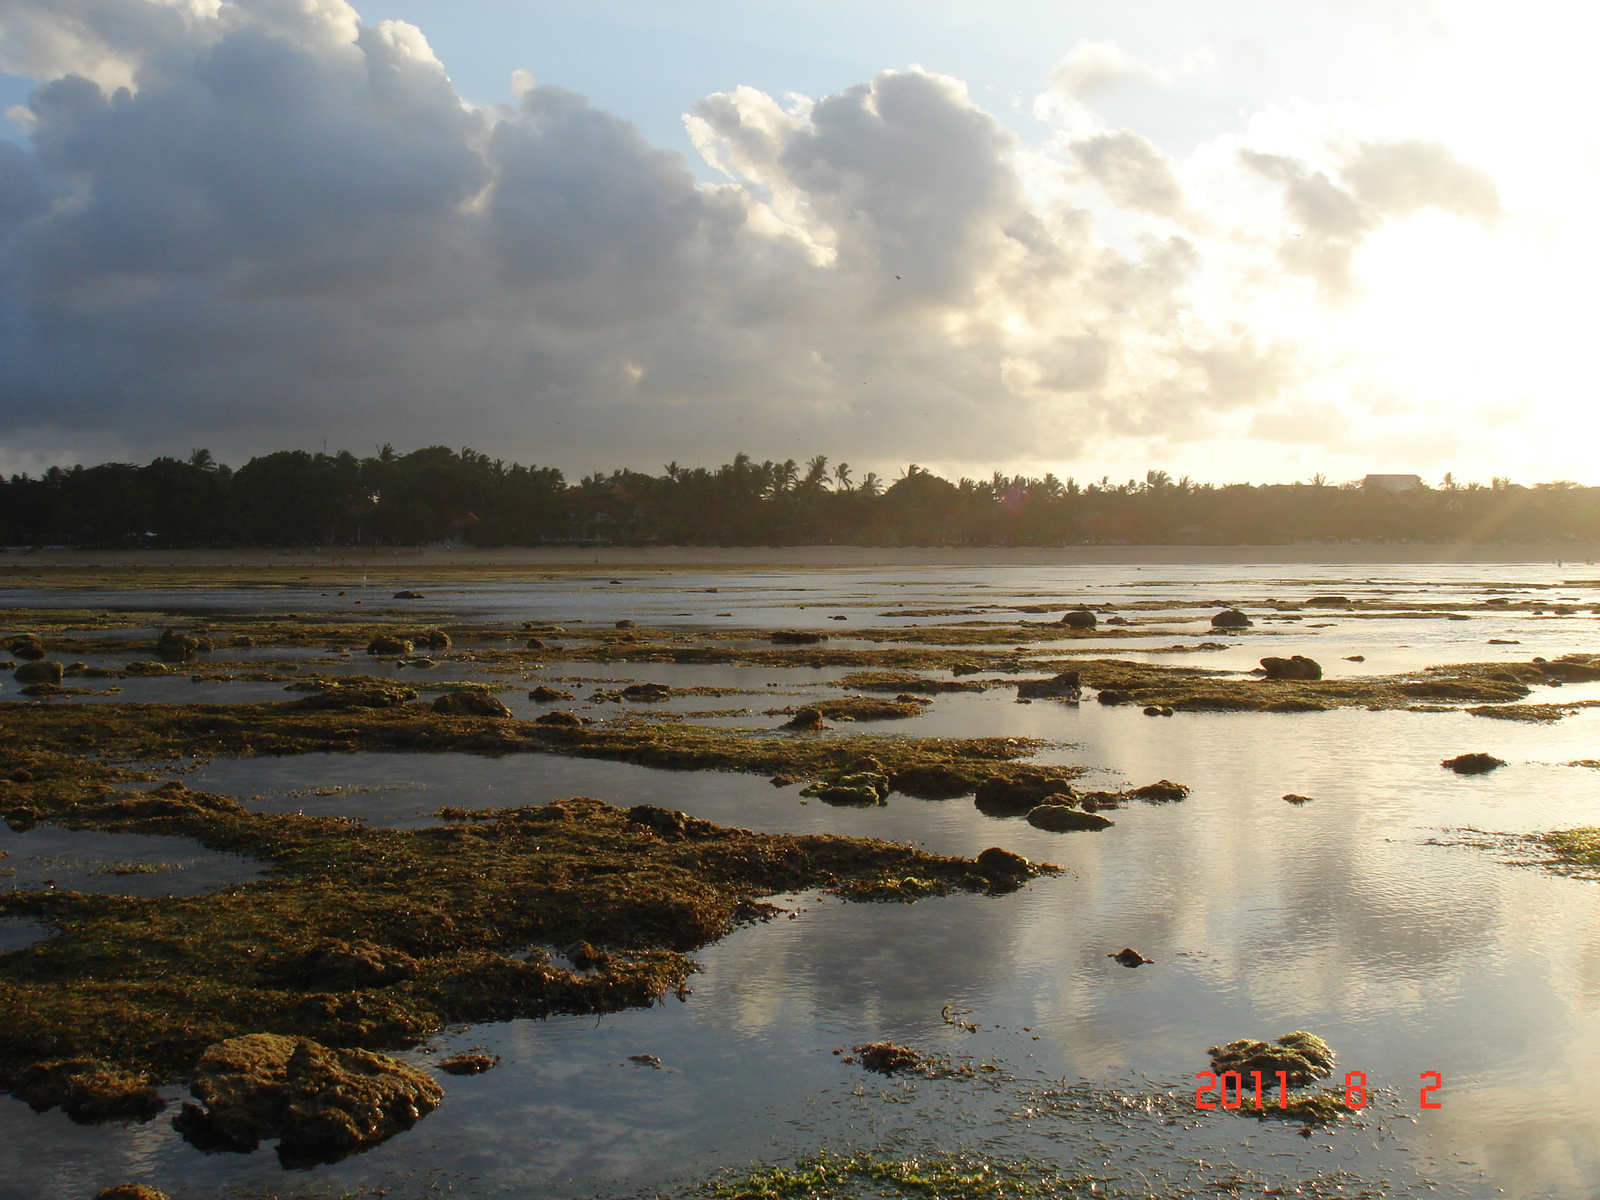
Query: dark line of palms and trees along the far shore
x=439, y=495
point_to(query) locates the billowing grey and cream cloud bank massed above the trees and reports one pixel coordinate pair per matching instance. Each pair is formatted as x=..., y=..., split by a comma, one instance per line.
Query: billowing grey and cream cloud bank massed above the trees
x=265, y=223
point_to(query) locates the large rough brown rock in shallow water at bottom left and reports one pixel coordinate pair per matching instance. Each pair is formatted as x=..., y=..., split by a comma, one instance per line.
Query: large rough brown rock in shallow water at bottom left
x=324, y=1105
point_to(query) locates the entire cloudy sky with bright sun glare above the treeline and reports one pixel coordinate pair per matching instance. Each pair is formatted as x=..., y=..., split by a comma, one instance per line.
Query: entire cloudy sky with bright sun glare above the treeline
x=1241, y=242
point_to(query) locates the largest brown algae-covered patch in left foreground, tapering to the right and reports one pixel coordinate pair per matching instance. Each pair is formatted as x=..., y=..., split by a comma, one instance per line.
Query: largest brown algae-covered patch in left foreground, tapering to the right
x=377, y=938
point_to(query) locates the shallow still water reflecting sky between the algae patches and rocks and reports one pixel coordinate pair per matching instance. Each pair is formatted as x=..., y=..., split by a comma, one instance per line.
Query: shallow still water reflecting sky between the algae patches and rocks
x=1364, y=916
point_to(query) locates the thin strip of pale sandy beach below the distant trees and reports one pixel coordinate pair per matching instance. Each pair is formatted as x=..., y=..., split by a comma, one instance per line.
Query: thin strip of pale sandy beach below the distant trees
x=862, y=558
